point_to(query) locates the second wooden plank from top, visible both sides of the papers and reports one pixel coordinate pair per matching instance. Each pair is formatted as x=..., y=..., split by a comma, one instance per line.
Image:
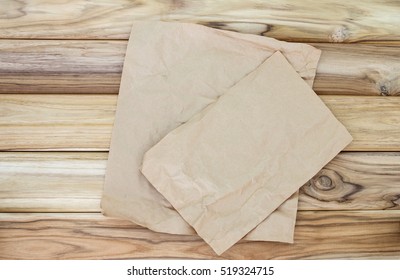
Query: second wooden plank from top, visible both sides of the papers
x=61, y=66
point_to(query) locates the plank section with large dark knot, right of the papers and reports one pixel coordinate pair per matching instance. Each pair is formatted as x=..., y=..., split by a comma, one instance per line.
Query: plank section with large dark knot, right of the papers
x=354, y=180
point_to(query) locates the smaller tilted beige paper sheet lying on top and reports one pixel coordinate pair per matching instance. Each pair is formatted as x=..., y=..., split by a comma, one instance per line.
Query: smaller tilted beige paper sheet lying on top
x=234, y=163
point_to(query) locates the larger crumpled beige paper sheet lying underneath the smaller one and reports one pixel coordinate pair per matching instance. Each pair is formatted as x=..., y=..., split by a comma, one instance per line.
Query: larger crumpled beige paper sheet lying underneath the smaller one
x=172, y=71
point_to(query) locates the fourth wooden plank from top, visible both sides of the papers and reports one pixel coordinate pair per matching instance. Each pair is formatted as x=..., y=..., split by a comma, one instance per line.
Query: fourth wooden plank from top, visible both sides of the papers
x=73, y=182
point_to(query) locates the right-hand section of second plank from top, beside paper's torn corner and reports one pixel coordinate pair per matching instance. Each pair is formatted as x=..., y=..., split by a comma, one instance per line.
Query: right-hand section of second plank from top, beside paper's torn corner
x=358, y=70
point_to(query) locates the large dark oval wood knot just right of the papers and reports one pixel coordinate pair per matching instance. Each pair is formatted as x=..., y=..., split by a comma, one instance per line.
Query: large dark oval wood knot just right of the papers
x=328, y=185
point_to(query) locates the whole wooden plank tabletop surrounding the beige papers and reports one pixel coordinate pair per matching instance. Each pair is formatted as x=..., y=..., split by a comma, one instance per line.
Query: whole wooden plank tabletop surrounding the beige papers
x=60, y=67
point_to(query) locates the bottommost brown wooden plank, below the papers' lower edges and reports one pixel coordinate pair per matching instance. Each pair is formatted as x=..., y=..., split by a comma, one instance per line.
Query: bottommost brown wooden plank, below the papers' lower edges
x=318, y=235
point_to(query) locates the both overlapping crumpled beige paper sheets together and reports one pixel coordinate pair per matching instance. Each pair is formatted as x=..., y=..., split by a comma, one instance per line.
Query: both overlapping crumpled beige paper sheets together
x=231, y=130
